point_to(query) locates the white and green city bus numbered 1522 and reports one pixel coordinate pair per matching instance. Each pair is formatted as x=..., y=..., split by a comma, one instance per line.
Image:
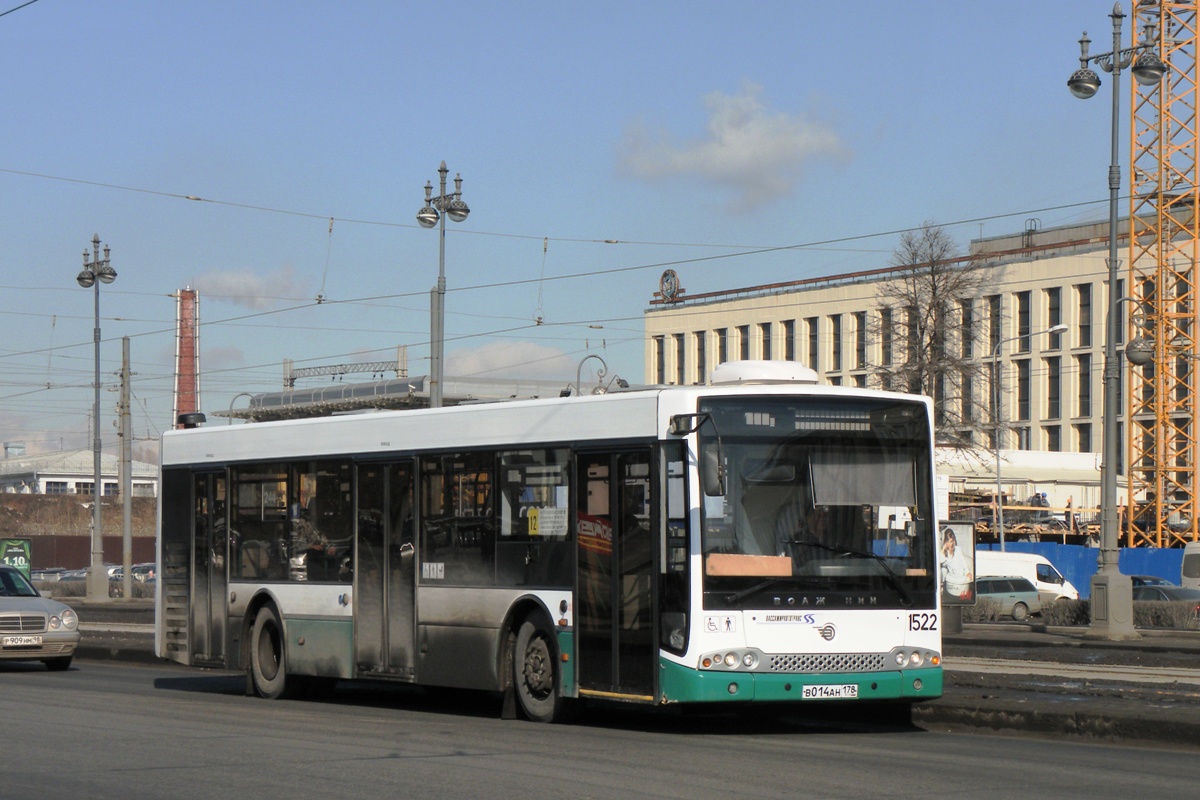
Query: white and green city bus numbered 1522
x=763, y=539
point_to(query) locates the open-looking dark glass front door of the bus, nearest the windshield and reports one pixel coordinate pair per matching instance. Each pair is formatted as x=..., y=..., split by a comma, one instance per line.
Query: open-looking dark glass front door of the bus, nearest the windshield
x=616, y=648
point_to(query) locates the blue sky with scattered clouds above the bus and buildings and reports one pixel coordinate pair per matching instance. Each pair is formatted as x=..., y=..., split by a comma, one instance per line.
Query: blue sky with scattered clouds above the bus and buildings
x=269, y=154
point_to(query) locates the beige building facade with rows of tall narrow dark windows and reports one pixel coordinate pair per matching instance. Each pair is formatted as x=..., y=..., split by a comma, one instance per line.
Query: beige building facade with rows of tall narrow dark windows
x=1052, y=384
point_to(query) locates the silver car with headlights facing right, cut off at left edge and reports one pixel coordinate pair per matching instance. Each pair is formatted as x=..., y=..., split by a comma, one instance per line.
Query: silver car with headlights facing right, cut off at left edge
x=34, y=628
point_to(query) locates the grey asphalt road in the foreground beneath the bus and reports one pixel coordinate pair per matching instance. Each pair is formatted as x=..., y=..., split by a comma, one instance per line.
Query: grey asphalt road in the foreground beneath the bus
x=111, y=730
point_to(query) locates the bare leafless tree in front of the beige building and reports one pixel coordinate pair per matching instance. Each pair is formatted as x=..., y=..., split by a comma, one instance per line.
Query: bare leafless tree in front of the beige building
x=929, y=327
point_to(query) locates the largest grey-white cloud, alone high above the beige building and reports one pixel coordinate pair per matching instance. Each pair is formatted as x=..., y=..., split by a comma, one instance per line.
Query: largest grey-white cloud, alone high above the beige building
x=757, y=154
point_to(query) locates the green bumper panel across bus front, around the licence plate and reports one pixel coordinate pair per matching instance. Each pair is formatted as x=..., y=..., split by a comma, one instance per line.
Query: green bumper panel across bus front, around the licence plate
x=680, y=684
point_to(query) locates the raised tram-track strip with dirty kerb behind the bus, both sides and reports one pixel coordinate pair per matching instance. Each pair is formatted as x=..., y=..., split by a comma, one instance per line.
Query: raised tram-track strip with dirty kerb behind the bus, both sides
x=1003, y=678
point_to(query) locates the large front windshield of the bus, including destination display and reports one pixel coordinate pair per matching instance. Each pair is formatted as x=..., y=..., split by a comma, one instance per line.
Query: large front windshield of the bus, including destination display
x=823, y=503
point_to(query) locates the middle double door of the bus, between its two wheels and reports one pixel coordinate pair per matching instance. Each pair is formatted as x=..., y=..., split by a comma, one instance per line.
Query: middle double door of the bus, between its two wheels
x=385, y=563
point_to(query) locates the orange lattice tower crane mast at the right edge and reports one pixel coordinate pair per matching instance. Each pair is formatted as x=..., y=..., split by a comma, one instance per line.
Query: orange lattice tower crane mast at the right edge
x=1165, y=214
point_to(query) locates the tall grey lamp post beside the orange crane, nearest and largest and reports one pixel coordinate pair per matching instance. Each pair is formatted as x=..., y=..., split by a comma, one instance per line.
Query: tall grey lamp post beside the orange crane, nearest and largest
x=1112, y=603
